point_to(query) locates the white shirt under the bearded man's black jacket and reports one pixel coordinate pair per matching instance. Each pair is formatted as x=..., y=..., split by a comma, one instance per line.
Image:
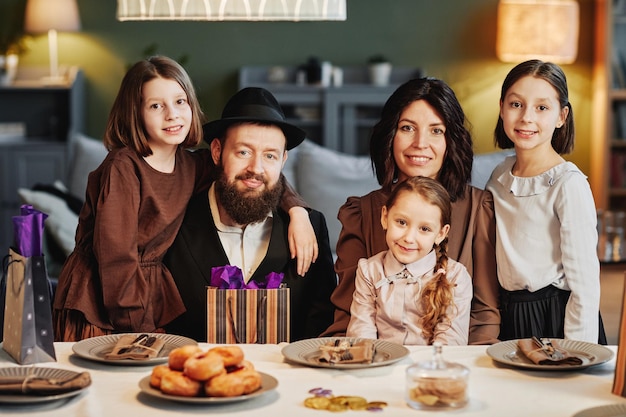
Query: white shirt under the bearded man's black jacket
x=245, y=247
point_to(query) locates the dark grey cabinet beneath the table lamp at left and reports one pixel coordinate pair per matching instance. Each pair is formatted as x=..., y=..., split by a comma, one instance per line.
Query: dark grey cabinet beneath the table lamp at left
x=49, y=115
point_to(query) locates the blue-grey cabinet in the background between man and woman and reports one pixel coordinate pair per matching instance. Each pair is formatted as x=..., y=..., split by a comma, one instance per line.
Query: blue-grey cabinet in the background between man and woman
x=339, y=117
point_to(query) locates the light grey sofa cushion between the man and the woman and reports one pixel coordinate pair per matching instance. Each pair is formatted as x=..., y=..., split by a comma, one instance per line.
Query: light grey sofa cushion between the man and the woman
x=326, y=178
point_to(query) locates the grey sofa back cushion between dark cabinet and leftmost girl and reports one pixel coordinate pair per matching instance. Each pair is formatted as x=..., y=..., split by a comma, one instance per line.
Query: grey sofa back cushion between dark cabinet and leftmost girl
x=87, y=154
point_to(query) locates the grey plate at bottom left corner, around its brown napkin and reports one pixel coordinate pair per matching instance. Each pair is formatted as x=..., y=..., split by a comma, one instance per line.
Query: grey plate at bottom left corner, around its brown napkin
x=23, y=371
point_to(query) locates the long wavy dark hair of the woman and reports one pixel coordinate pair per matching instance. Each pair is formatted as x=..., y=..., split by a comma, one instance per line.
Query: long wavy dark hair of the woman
x=456, y=169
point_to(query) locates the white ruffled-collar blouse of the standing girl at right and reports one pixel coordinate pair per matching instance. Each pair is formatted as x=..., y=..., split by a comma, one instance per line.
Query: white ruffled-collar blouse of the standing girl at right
x=546, y=235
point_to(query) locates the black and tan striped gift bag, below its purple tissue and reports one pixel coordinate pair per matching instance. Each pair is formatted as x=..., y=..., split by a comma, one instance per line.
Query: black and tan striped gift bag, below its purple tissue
x=248, y=315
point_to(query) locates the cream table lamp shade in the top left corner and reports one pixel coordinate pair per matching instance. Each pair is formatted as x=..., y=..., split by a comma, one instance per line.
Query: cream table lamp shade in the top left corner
x=44, y=15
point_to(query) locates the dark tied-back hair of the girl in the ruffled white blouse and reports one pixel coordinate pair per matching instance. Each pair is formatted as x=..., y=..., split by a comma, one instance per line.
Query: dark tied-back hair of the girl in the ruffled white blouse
x=563, y=137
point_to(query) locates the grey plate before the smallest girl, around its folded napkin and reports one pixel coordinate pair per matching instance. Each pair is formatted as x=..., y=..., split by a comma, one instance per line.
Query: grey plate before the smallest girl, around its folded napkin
x=307, y=352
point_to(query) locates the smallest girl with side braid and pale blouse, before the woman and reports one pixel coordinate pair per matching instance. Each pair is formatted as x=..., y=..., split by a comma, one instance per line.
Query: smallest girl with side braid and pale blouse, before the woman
x=412, y=294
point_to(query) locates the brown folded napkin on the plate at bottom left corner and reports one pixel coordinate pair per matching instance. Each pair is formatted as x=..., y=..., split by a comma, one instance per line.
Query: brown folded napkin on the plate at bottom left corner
x=37, y=385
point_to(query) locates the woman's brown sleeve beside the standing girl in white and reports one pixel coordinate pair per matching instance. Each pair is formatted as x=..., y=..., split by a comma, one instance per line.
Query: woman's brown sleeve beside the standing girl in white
x=485, y=314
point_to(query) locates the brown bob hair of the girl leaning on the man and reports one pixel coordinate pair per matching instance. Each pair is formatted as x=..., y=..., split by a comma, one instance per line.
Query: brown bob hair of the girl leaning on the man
x=125, y=127
